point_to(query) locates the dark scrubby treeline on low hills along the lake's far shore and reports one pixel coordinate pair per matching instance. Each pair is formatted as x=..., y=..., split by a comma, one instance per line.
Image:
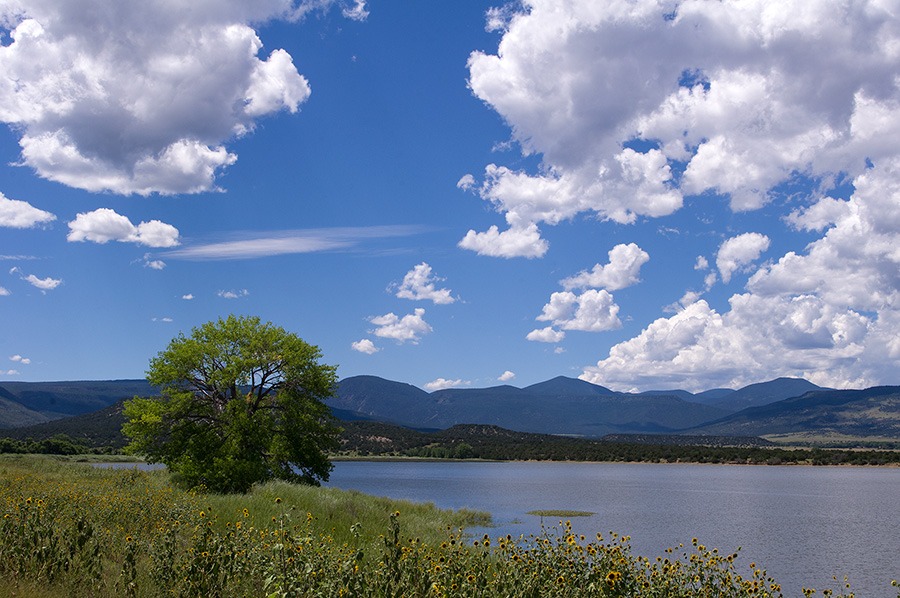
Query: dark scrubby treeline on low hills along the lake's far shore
x=491, y=442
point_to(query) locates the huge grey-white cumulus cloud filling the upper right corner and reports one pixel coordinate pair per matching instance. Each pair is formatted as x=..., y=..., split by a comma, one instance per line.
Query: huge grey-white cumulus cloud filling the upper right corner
x=743, y=95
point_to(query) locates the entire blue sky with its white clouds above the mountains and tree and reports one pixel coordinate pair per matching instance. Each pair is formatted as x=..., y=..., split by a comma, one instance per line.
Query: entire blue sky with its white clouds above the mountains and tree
x=643, y=194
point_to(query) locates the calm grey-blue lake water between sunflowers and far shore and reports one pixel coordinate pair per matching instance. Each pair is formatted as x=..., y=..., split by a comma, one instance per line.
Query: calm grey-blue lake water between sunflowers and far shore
x=802, y=524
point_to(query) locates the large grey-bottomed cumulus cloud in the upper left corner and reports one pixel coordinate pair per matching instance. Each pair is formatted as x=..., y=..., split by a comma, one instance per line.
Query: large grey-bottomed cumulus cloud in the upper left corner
x=141, y=100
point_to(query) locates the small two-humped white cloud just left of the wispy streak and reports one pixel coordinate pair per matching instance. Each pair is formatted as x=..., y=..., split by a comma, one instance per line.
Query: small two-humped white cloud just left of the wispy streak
x=104, y=225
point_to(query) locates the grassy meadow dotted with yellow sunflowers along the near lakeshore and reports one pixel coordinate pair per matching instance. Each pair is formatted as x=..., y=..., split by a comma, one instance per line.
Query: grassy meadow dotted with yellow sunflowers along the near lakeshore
x=72, y=530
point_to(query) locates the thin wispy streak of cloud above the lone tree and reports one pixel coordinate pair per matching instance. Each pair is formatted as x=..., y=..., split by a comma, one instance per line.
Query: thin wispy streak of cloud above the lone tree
x=250, y=245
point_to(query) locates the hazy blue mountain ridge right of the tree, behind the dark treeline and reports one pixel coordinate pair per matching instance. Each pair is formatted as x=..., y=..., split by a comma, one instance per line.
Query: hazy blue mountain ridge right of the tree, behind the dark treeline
x=574, y=407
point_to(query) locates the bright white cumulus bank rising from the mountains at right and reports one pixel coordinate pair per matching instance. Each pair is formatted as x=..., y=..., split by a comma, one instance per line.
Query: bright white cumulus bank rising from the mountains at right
x=830, y=314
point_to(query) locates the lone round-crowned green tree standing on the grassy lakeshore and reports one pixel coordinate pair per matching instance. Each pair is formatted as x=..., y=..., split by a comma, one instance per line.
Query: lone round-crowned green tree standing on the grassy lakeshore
x=242, y=402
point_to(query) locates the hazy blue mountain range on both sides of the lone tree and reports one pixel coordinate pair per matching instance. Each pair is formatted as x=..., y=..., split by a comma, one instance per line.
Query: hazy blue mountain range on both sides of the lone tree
x=561, y=406
